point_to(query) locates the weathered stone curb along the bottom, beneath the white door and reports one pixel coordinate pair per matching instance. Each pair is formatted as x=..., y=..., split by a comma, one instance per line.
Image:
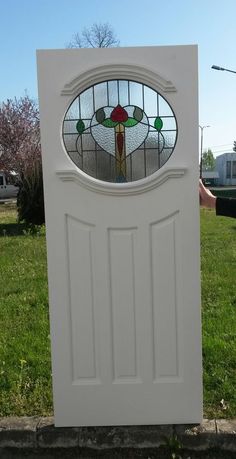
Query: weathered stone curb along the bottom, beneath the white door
x=40, y=438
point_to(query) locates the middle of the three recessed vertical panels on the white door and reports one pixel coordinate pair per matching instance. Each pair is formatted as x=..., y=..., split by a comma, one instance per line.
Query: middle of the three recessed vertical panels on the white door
x=122, y=301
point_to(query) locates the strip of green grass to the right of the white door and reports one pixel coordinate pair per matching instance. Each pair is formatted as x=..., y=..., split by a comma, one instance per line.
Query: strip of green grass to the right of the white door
x=218, y=255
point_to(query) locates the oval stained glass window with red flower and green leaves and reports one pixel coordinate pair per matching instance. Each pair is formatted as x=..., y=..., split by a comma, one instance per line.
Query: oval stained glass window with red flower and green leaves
x=119, y=131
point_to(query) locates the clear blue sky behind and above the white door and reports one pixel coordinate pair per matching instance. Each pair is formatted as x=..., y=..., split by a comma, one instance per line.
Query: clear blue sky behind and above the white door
x=27, y=25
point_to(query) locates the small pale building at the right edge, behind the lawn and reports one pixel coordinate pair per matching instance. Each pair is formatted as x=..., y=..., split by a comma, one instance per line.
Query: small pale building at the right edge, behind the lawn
x=226, y=167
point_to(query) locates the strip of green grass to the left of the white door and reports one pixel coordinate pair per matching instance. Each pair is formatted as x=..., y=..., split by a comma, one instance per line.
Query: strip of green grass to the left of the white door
x=25, y=368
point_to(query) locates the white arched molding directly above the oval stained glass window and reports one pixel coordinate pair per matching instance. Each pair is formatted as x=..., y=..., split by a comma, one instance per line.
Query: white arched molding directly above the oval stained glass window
x=117, y=71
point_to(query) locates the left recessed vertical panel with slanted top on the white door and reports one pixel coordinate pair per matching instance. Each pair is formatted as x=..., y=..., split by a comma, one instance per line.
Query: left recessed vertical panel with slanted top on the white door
x=81, y=292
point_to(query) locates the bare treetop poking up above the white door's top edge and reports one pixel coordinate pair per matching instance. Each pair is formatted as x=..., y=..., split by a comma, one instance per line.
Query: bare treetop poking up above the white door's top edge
x=96, y=36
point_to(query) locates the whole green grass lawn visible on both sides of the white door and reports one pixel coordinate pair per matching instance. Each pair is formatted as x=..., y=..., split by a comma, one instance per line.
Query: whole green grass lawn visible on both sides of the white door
x=25, y=371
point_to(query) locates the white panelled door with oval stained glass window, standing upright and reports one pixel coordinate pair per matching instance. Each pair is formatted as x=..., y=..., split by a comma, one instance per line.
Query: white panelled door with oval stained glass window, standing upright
x=120, y=159
